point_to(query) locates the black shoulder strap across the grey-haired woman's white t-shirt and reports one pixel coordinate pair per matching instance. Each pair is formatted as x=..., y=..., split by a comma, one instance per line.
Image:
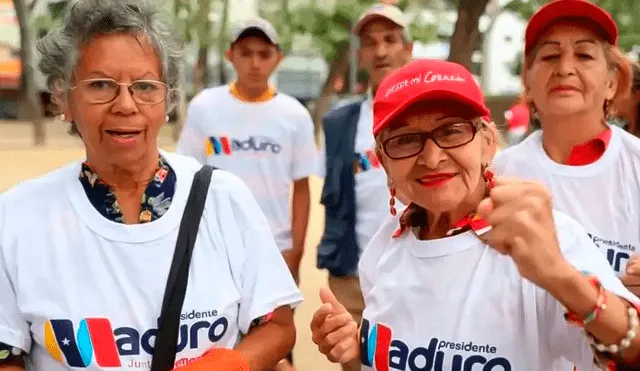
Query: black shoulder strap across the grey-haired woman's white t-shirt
x=164, y=354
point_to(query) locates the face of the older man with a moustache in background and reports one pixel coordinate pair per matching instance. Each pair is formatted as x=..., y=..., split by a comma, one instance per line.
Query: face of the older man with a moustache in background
x=382, y=49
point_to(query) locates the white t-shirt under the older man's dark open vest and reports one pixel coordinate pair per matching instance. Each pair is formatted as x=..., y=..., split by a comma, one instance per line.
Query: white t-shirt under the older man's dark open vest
x=371, y=190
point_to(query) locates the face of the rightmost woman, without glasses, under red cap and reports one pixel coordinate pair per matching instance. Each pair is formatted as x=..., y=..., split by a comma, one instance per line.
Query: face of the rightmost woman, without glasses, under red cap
x=569, y=74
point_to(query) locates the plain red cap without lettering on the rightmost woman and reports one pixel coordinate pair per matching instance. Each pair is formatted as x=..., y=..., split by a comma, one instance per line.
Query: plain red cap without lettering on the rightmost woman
x=561, y=9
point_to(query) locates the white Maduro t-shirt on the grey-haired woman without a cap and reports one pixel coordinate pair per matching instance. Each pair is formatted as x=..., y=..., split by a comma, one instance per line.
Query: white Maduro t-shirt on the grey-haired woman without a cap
x=88, y=291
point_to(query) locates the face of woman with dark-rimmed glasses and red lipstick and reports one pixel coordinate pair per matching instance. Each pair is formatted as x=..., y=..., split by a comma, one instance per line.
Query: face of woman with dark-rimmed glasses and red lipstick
x=439, y=180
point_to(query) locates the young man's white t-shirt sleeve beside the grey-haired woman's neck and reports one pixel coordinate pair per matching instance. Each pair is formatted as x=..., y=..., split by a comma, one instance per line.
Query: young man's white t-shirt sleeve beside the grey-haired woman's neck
x=192, y=141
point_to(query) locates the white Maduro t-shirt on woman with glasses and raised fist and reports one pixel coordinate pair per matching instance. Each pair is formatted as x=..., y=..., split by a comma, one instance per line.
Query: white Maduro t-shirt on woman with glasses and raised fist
x=456, y=304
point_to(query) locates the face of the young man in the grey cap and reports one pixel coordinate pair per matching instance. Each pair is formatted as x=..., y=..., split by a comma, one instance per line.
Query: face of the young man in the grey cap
x=254, y=60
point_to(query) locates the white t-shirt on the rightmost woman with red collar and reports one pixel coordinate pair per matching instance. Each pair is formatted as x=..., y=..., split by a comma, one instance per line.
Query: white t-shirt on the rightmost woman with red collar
x=604, y=196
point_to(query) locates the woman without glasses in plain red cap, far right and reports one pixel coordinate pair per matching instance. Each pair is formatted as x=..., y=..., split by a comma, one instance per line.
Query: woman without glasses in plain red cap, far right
x=573, y=75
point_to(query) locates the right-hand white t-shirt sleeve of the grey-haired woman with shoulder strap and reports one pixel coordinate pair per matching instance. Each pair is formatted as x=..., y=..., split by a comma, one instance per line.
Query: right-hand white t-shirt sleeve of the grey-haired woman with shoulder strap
x=260, y=272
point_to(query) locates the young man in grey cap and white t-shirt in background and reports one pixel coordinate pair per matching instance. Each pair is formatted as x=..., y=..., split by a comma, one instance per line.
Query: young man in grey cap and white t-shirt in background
x=261, y=135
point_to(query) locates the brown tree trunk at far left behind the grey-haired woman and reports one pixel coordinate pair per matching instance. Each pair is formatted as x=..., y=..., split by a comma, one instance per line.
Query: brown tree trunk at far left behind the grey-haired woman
x=29, y=105
